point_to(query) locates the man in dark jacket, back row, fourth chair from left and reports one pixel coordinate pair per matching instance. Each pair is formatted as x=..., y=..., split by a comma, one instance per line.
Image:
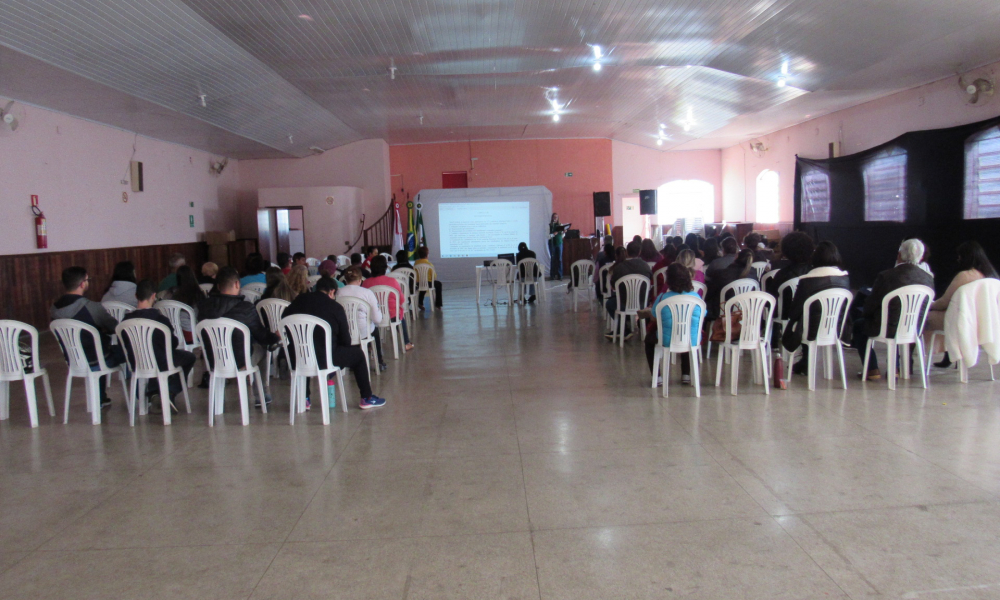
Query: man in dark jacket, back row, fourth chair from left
x=229, y=304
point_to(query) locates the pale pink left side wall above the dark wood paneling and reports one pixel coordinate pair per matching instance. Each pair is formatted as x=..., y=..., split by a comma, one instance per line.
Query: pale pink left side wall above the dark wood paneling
x=76, y=167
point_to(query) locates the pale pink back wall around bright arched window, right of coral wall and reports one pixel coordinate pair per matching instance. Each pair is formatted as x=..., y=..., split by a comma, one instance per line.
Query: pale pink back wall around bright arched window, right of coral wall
x=636, y=167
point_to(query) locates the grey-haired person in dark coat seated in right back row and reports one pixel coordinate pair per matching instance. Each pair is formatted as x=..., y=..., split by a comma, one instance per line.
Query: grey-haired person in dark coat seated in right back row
x=906, y=272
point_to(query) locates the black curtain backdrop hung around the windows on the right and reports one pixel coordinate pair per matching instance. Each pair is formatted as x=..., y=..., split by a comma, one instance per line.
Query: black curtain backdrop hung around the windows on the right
x=935, y=187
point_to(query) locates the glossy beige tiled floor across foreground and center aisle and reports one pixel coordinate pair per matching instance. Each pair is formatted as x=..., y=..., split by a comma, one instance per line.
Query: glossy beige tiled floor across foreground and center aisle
x=520, y=456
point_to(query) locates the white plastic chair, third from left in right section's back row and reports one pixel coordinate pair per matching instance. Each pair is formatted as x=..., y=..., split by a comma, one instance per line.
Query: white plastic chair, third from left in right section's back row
x=833, y=314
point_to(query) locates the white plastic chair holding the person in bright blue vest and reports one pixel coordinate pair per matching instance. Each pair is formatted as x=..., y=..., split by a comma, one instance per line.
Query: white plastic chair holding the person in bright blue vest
x=682, y=309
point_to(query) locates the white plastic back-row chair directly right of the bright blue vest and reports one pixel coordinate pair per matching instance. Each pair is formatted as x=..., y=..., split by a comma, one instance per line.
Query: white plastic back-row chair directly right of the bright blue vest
x=755, y=331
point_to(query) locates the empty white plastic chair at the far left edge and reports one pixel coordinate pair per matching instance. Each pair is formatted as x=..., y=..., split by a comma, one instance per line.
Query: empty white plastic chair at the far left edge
x=13, y=368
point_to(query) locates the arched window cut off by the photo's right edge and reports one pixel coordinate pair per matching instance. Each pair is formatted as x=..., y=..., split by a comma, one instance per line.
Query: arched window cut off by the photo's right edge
x=982, y=175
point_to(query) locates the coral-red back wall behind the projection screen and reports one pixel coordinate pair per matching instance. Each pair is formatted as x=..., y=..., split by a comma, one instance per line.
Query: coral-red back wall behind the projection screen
x=510, y=163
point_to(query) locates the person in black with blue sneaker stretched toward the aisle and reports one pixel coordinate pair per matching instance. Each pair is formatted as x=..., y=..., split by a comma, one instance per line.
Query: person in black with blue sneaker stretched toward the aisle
x=321, y=304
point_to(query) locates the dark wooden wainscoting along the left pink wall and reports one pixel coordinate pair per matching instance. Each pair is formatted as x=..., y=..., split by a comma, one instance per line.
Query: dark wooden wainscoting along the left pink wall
x=29, y=283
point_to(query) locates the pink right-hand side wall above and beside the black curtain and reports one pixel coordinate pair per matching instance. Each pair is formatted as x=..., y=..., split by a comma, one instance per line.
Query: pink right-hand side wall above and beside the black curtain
x=935, y=105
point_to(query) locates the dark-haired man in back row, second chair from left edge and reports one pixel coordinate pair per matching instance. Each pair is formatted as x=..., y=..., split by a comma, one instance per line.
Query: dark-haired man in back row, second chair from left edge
x=74, y=305
